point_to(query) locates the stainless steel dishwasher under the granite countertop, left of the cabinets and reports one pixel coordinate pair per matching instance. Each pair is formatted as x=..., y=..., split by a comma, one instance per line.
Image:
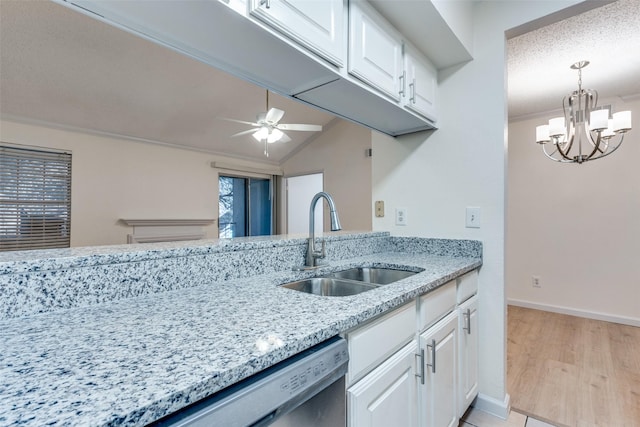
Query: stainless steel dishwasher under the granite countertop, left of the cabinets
x=307, y=389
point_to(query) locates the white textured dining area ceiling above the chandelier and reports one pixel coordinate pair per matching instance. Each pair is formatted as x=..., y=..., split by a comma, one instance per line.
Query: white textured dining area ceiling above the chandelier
x=538, y=62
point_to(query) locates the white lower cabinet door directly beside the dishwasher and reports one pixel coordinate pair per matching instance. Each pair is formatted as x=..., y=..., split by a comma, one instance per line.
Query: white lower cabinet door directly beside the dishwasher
x=387, y=396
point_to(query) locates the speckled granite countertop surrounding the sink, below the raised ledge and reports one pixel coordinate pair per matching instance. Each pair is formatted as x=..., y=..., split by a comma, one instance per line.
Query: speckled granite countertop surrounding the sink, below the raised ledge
x=132, y=361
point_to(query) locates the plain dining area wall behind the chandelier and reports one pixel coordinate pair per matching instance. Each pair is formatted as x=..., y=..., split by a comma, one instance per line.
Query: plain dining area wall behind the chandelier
x=575, y=226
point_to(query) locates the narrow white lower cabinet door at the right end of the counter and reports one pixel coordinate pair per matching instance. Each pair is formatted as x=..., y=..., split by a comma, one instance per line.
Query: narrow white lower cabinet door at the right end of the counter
x=468, y=353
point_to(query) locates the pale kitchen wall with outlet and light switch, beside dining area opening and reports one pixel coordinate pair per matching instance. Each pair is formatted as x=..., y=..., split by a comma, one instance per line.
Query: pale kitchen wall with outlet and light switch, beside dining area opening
x=463, y=164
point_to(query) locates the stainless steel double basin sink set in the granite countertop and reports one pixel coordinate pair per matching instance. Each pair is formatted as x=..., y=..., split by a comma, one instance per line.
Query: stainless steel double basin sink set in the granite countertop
x=349, y=282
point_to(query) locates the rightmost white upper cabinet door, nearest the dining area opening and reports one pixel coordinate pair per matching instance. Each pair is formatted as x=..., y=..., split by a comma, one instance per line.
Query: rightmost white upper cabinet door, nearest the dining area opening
x=420, y=94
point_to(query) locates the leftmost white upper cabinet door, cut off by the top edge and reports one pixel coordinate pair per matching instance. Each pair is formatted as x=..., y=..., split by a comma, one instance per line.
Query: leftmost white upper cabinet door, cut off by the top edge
x=317, y=25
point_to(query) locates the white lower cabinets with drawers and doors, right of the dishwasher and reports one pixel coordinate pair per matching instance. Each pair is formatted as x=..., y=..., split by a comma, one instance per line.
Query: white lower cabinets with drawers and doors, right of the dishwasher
x=418, y=365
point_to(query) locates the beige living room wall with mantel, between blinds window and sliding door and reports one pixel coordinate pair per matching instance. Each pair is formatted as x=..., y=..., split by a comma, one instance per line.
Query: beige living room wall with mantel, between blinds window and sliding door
x=114, y=178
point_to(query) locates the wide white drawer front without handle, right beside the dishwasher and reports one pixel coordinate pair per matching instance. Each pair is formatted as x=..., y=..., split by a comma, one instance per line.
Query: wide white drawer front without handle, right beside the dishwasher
x=375, y=342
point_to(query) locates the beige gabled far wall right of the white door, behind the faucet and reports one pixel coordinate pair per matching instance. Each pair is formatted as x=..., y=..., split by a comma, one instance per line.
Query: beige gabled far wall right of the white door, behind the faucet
x=339, y=152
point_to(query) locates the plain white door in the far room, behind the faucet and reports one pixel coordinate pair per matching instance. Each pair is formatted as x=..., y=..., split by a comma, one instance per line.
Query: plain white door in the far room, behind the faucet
x=300, y=191
